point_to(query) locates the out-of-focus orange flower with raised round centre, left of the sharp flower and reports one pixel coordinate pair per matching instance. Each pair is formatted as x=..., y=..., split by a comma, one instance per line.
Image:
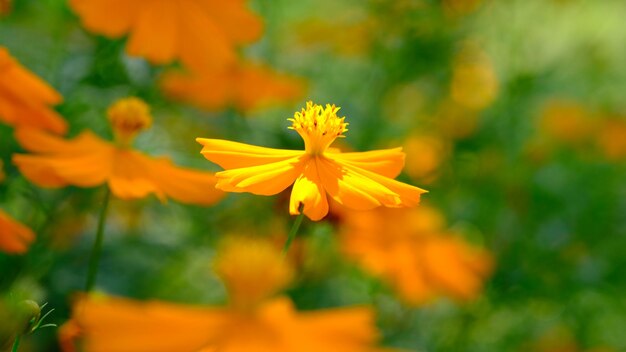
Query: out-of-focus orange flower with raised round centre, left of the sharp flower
x=88, y=161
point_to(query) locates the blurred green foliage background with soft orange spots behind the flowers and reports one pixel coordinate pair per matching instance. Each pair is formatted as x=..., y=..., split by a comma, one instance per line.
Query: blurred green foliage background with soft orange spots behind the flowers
x=512, y=115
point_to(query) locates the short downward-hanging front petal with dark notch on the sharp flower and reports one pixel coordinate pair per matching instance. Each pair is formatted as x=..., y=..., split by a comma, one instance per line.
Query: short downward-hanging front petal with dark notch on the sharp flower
x=308, y=190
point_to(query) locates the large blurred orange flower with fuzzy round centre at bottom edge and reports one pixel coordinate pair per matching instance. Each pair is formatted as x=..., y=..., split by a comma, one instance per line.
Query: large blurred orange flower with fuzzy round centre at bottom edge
x=273, y=324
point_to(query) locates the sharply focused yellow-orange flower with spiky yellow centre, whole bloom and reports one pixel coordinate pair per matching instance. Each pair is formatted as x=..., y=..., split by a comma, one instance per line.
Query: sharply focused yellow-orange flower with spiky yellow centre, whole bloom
x=357, y=180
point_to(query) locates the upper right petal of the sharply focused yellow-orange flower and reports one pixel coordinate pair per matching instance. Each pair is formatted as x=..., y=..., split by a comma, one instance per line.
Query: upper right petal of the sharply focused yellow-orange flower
x=386, y=162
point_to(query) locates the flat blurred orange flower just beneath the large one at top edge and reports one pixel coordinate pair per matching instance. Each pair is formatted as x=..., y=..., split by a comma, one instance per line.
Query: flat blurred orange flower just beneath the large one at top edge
x=245, y=86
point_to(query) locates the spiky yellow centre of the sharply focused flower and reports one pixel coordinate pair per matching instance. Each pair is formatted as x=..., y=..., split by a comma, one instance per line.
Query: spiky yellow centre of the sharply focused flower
x=318, y=126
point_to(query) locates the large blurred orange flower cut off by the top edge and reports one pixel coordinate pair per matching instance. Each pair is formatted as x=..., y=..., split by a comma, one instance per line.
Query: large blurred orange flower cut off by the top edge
x=200, y=33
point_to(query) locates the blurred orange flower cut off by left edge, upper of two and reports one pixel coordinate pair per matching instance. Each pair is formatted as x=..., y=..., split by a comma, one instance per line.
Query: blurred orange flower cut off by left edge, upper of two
x=25, y=99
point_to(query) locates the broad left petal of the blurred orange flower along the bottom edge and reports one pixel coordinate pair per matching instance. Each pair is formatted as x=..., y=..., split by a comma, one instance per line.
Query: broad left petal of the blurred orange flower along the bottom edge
x=116, y=324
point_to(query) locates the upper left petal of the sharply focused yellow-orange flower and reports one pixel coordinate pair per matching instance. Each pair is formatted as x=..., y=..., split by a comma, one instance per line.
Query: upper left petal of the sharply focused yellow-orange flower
x=233, y=155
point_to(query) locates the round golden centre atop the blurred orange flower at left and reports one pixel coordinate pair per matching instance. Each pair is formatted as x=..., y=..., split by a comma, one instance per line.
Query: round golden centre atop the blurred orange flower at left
x=128, y=117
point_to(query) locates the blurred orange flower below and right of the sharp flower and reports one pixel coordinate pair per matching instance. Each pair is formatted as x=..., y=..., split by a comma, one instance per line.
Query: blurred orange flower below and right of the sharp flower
x=409, y=250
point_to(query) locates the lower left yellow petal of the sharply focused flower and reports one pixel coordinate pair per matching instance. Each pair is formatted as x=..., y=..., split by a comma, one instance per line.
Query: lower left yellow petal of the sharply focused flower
x=267, y=179
